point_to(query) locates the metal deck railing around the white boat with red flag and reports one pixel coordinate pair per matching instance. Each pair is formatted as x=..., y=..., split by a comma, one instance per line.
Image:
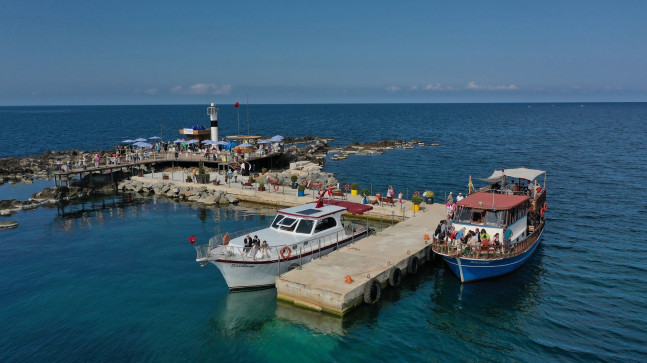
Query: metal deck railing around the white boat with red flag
x=310, y=247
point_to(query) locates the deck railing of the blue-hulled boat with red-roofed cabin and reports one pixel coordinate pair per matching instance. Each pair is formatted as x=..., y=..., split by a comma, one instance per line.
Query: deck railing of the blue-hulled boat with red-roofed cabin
x=515, y=247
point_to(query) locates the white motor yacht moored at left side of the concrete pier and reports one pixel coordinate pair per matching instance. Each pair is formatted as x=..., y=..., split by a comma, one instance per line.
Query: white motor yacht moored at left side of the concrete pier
x=296, y=236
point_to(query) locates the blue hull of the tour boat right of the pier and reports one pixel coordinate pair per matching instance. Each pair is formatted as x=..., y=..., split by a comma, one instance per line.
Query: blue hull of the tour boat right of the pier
x=470, y=269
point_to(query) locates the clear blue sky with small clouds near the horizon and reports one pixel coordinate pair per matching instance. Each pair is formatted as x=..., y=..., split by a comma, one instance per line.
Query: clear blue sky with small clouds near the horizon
x=291, y=52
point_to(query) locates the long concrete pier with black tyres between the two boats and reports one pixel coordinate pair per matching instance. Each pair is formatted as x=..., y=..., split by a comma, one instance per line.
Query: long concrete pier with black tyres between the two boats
x=321, y=284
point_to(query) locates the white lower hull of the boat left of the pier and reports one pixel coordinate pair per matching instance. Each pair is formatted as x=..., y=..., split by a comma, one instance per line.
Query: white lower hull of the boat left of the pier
x=247, y=274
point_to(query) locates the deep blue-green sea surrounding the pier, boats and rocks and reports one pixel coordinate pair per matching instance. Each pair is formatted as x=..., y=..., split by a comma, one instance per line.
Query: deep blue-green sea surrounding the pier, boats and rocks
x=115, y=279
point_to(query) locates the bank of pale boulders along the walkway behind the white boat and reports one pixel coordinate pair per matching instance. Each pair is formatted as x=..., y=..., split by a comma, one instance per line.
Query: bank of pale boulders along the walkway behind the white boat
x=198, y=193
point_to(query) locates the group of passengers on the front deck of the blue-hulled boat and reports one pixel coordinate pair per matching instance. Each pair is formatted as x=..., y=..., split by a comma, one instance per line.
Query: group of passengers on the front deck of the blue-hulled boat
x=477, y=240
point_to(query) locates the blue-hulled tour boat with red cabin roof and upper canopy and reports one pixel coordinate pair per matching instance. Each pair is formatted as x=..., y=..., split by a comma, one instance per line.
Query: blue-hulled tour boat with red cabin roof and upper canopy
x=508, y=215
